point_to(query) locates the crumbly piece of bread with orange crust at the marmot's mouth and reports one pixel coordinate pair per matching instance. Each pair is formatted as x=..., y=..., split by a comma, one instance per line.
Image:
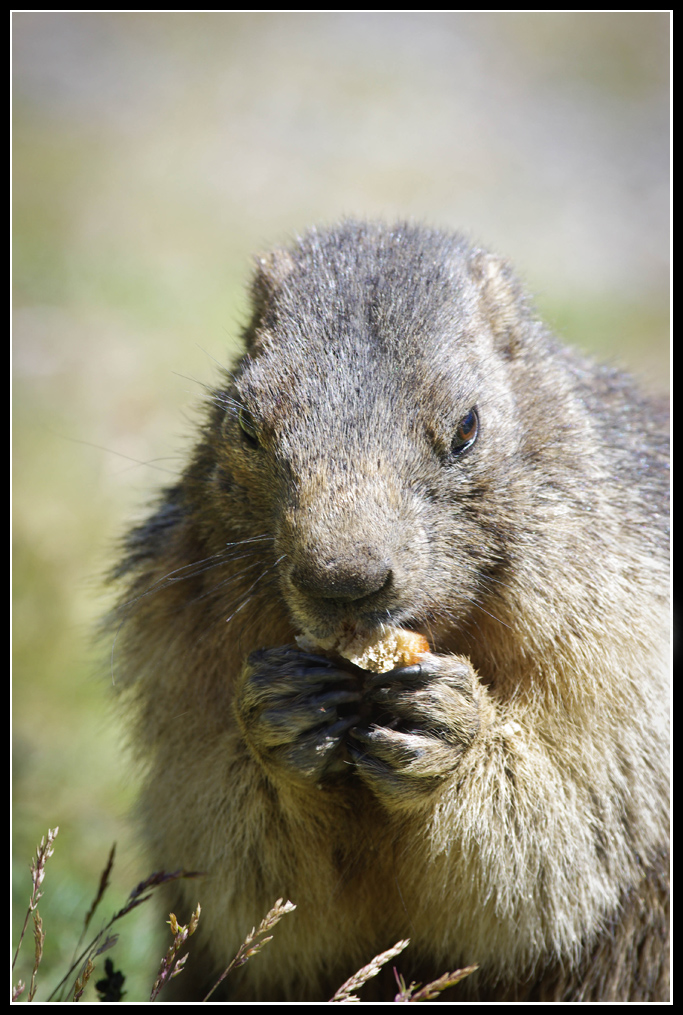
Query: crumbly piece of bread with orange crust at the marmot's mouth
x=378, y=652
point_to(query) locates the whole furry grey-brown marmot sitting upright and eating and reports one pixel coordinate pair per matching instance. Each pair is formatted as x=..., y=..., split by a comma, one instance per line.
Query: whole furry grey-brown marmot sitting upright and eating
x=403, y=445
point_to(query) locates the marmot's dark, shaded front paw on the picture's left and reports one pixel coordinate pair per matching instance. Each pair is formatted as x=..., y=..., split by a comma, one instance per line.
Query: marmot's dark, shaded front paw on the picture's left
x=296, y=710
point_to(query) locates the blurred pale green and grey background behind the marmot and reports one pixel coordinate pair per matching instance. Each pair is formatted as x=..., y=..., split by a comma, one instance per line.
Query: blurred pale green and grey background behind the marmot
x=154, y=155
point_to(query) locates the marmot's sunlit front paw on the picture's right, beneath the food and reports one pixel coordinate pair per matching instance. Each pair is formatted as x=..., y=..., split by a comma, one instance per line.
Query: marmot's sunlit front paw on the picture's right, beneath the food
x=423, y=719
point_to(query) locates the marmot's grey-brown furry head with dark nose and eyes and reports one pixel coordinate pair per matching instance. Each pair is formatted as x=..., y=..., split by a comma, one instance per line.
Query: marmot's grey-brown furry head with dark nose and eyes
x=375, y=427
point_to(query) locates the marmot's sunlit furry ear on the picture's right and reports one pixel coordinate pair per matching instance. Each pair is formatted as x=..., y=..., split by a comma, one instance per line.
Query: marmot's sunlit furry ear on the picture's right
x=503, y=302
